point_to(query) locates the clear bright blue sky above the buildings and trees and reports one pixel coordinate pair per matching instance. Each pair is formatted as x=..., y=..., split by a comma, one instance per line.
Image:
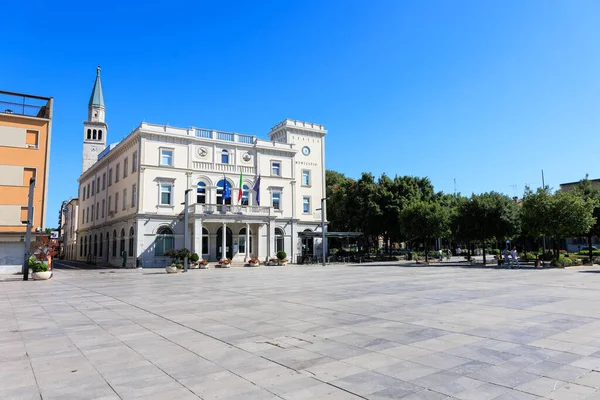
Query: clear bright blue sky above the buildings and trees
x=485, y=92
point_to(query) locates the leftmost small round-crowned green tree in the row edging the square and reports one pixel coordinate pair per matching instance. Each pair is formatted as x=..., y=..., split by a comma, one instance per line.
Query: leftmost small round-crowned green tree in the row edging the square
x=426, y=220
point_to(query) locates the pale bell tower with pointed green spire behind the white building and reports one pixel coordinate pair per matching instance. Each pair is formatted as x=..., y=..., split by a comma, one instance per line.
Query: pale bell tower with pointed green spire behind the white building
x=95, y=128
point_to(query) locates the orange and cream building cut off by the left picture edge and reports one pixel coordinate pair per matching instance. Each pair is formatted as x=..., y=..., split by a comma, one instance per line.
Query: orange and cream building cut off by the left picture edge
x=25, y=133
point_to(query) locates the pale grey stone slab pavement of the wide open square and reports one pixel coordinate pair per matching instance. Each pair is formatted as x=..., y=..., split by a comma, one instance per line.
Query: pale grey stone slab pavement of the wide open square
x=336, y=332
